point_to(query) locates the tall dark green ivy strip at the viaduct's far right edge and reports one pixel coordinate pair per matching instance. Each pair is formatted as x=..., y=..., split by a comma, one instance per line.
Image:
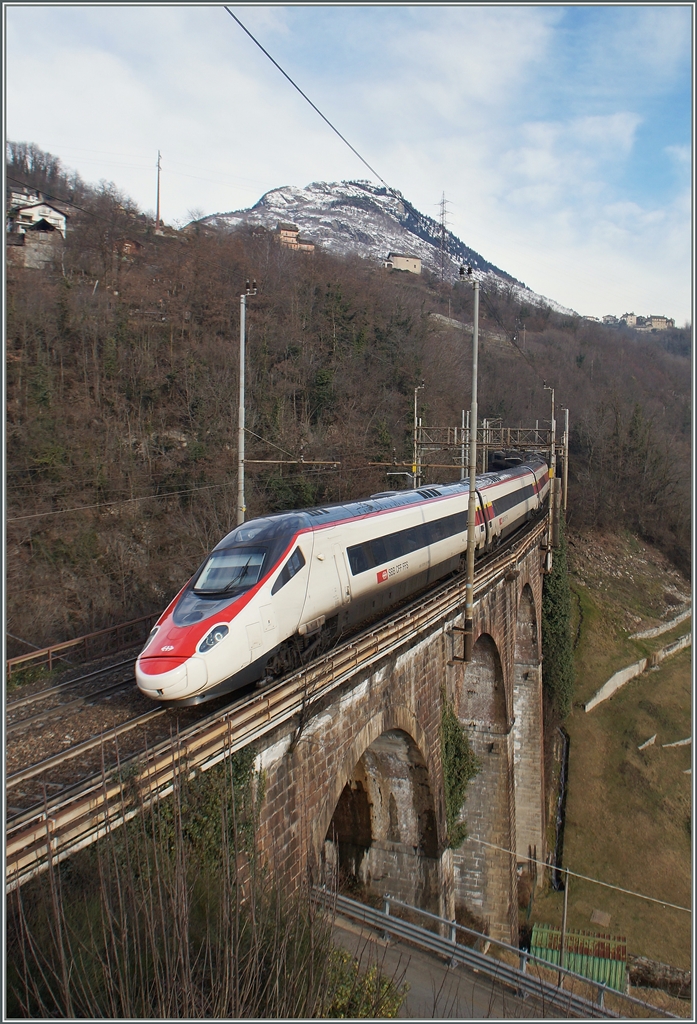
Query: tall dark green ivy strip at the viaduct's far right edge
x=557, y=645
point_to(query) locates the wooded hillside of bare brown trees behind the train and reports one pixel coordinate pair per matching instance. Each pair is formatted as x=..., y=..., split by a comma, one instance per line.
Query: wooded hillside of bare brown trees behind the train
x=122, y=396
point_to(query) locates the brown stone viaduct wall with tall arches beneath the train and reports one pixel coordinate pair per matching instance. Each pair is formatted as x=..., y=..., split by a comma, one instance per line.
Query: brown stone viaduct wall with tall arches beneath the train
x=361, y=786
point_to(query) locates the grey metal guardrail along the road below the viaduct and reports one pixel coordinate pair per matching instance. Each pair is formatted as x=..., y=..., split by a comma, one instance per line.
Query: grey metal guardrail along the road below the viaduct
x=520, y=979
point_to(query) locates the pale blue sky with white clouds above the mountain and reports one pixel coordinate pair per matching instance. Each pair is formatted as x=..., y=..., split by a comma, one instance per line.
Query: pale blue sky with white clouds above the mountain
x=561, y=136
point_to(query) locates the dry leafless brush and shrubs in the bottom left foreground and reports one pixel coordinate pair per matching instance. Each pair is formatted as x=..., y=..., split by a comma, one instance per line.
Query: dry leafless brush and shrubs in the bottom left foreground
x=173, y=917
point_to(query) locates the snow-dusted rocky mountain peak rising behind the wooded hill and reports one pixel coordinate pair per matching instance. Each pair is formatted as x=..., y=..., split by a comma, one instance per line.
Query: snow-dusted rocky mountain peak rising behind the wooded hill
x=372, y=222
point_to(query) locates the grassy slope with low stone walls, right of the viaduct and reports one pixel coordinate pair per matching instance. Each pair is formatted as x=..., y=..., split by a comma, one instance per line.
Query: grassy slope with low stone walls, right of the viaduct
x=629, y=810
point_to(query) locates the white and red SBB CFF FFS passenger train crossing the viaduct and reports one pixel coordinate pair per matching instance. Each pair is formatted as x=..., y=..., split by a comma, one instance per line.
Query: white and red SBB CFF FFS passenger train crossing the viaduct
x=277, y=589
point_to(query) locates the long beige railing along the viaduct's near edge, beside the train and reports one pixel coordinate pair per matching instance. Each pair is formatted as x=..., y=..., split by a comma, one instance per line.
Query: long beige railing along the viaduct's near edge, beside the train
x=65, y=827
